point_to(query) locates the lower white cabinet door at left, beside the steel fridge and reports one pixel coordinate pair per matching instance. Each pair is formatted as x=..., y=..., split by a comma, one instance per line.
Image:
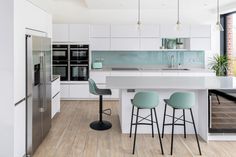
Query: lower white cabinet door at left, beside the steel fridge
x=19, y=129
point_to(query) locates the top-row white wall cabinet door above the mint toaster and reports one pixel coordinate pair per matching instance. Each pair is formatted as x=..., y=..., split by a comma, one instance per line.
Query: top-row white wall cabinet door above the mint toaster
x=100, y=31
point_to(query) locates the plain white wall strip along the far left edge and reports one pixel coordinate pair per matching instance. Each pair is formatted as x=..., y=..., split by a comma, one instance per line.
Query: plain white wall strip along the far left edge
x=6, y=79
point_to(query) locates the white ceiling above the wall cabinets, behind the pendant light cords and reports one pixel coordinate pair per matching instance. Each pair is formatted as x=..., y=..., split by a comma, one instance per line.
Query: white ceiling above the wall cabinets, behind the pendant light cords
x=117, y=11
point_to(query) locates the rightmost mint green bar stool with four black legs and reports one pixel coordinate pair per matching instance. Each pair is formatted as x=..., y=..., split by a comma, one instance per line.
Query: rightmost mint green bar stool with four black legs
x=180, y=101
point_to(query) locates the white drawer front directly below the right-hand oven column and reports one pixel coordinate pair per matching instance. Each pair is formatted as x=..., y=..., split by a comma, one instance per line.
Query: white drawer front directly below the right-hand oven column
x=80, y=91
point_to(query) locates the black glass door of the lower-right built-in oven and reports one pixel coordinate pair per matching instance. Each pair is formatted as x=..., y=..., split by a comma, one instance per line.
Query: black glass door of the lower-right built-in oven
x=79, y=73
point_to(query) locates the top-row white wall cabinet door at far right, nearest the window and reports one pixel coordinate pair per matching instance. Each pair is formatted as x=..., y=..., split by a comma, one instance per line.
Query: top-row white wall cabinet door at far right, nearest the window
x=200, y=31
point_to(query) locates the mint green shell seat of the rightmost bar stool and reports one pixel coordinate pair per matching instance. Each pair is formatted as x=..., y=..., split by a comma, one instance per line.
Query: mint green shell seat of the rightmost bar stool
x=182, y=100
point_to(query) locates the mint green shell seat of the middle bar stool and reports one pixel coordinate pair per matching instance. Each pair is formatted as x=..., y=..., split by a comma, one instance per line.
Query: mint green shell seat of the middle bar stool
x=146, y=100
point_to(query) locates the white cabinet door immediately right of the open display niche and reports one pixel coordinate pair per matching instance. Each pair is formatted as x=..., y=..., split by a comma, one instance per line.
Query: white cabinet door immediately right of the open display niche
x=200, y=43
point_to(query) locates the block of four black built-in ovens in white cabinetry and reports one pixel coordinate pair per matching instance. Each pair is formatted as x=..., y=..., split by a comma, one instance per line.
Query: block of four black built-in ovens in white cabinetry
x=71, y=62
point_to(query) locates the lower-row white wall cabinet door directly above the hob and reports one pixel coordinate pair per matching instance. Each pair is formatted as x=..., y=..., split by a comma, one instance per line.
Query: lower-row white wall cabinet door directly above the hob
x=124, y=43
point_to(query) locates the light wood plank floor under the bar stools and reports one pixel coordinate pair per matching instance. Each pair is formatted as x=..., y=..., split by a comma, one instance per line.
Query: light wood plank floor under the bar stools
x=70, y=136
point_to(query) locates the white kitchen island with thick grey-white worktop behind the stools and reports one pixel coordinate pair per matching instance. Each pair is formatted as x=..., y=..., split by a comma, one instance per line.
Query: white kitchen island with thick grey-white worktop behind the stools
x=165, y=86
